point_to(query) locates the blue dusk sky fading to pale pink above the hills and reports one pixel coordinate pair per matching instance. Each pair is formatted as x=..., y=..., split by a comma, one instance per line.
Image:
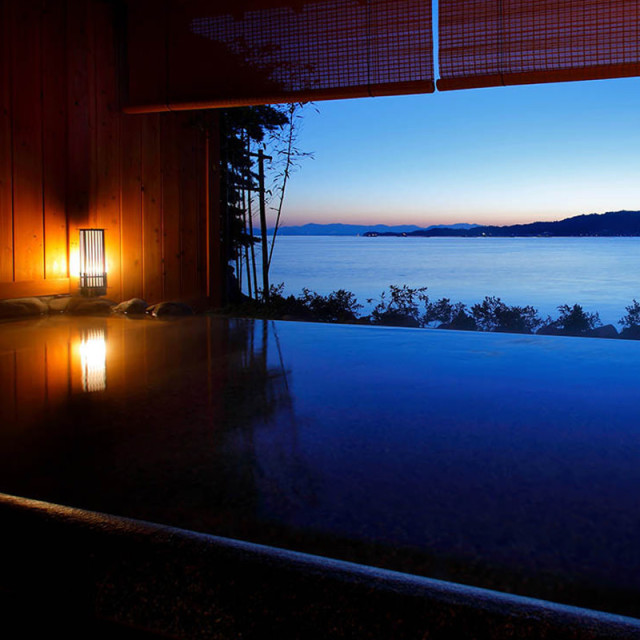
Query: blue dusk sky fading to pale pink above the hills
x=489, y=156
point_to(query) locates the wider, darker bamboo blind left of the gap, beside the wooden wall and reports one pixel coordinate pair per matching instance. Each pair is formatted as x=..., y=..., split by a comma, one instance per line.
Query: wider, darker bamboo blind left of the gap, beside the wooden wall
x=234, y=52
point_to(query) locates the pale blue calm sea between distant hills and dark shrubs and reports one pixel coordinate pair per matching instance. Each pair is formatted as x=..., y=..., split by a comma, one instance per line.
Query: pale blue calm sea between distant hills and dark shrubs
x=601, y=274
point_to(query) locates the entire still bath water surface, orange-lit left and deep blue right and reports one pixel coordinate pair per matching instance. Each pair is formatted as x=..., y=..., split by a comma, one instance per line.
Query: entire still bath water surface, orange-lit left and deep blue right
x=503, y=461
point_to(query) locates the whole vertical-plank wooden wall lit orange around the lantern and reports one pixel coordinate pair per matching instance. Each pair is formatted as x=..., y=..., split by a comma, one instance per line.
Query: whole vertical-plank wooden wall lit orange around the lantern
x=70, y=158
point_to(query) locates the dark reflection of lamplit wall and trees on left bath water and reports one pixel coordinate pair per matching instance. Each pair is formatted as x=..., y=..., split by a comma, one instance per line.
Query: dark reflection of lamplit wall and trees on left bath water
x=153, y=419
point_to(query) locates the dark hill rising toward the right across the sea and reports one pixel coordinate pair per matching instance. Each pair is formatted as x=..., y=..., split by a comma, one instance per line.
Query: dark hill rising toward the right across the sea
x=613, y=223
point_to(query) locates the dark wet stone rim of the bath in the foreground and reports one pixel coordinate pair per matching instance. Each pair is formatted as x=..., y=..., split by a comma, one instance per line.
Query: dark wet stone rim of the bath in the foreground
x=69, y=565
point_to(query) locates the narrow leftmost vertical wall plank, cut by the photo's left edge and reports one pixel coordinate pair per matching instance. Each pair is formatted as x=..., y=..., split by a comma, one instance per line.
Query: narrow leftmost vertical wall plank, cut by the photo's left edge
x=6, y=180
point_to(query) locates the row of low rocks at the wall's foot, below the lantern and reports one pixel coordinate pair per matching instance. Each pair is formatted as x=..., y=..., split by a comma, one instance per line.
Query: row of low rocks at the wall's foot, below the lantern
x=81, y=306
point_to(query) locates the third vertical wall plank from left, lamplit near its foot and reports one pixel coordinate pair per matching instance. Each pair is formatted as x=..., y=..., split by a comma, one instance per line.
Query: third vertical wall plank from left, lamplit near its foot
x=54, y=138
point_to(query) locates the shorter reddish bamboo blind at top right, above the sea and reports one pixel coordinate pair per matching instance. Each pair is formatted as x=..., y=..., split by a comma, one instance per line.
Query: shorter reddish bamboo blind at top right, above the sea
x=494, y=42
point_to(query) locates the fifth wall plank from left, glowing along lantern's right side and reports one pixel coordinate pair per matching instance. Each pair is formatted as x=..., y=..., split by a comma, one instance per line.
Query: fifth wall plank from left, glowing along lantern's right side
x=108, y=143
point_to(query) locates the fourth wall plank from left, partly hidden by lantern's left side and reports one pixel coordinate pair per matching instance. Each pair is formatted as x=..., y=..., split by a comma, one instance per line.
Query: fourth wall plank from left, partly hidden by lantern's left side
x=79, y=147
